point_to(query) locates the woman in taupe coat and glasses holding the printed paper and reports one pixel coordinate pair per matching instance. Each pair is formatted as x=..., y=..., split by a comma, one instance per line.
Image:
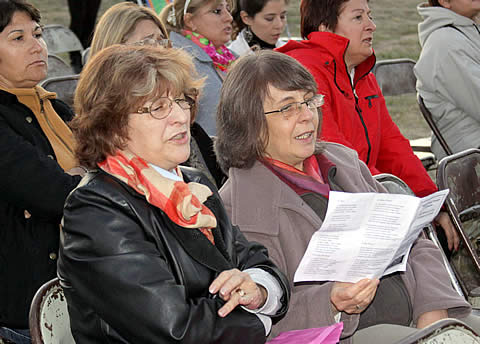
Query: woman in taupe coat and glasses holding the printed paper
x=277, y=192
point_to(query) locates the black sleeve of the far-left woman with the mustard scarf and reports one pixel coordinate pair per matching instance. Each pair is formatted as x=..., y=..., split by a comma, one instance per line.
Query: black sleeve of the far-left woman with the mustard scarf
x=30, y=179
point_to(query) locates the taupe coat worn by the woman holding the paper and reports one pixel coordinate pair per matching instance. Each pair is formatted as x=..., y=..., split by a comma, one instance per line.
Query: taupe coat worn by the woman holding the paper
x=270, y=212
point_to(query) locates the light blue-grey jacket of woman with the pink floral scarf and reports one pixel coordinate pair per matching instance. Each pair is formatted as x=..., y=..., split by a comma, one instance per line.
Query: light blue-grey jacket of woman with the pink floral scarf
x=210, y=95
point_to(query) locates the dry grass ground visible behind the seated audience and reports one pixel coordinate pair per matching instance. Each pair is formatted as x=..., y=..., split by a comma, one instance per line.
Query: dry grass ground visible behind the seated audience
x=395, y=37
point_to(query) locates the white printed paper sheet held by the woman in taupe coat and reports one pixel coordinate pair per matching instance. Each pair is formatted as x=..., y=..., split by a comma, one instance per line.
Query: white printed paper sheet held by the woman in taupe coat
x=366, y=235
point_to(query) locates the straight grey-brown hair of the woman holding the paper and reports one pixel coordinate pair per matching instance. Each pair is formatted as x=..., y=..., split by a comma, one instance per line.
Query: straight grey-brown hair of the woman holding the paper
x=242, y=132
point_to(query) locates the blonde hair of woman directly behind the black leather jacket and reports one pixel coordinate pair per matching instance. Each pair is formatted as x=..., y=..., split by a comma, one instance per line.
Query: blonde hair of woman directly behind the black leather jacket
x=118, y=22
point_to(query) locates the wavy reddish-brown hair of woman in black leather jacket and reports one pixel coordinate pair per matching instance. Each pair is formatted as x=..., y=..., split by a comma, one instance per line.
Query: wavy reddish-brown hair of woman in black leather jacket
x=115, y=83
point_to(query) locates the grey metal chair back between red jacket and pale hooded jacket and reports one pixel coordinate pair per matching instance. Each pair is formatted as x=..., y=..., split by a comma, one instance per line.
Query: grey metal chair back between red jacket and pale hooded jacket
x=395, y=76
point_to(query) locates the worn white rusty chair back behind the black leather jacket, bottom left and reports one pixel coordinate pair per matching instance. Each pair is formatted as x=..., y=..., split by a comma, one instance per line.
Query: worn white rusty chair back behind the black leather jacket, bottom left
x=49, y=321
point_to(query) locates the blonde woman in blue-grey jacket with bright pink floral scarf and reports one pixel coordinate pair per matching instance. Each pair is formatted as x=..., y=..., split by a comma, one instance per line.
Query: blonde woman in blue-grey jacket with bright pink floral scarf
x=202, y=28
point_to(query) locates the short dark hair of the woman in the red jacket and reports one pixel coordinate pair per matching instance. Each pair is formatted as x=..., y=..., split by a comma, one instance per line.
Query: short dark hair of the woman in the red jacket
x=314, y=13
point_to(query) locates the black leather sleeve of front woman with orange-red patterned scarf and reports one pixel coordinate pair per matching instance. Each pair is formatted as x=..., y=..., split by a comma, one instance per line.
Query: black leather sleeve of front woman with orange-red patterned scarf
x=126, y=278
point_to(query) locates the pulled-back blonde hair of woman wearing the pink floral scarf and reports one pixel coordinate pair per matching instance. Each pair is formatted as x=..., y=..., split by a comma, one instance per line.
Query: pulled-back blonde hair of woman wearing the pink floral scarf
x=177, y=8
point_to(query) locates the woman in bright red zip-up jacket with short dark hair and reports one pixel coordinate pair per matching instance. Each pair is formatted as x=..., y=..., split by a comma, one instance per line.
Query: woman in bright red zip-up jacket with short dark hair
x=338, y=52
